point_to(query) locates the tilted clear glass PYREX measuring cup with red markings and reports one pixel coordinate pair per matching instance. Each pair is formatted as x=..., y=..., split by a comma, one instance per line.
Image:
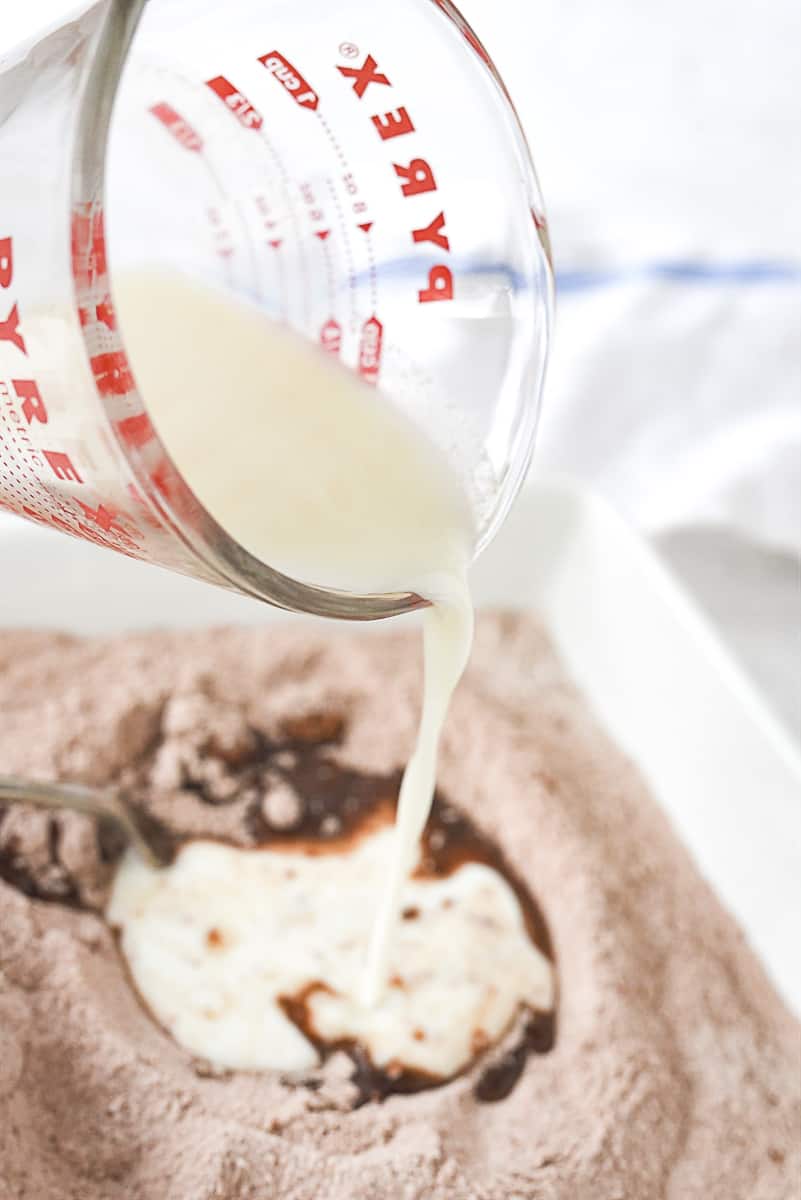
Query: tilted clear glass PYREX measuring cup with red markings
x=357, y=169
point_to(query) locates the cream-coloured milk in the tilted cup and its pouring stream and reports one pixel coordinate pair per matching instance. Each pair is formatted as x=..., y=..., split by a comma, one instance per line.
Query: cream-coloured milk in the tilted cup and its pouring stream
x=317, y=475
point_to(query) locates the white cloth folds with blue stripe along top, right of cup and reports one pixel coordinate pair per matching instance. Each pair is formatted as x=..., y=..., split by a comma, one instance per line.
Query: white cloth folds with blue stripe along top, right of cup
x=682, y=398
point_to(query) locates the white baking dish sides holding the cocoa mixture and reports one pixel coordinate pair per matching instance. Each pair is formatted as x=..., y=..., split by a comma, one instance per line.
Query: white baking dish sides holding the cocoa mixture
x=653, y=668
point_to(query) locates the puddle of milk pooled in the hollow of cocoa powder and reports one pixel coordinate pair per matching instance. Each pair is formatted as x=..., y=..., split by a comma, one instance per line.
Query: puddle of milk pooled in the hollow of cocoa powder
x=220, y=939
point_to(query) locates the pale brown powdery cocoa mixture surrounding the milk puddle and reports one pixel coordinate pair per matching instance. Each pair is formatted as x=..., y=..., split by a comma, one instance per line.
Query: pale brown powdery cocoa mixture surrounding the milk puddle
x=676, y=1071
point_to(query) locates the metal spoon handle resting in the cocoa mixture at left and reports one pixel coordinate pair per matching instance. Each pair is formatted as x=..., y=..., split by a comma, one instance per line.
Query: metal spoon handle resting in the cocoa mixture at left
x=152, y=841
